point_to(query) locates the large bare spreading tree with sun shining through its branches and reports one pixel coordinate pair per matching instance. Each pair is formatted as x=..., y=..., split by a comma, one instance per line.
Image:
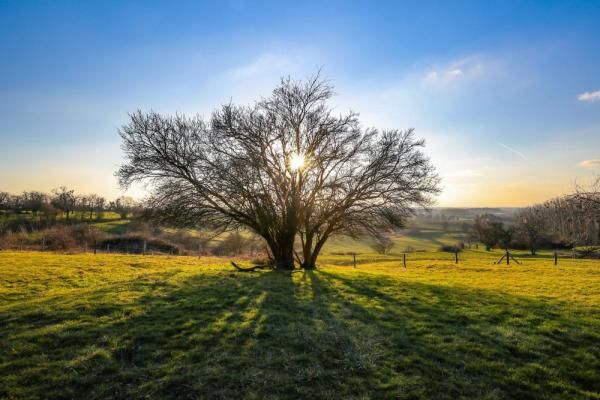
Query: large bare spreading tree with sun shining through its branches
x=286, y=168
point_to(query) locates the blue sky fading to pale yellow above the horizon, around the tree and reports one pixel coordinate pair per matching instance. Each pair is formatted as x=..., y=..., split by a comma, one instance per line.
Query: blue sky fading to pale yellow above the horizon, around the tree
x=506, y=94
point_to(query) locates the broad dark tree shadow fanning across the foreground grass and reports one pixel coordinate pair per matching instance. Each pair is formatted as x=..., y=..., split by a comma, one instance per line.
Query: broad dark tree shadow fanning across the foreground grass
x=309, y=335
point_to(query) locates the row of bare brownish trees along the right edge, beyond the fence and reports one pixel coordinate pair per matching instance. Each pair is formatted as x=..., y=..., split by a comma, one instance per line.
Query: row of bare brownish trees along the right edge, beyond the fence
x=564, y=222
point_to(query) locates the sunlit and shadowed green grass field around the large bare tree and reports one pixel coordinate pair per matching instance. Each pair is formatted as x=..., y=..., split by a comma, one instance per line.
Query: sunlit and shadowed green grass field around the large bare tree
x=118, y=326
